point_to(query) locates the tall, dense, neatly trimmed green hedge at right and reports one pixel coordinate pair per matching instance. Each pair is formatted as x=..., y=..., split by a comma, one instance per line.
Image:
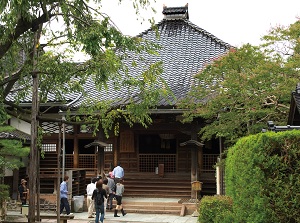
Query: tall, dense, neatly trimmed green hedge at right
x=262, y=177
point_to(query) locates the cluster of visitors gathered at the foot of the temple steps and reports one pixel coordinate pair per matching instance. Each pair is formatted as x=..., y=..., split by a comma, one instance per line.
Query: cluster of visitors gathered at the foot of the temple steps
x=101, y=192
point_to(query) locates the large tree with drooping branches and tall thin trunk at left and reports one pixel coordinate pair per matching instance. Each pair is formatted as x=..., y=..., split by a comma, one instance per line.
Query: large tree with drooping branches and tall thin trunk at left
x=36, y=53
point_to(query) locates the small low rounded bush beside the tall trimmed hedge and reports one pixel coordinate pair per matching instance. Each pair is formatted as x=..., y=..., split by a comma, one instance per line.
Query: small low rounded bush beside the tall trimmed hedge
x=215, y=209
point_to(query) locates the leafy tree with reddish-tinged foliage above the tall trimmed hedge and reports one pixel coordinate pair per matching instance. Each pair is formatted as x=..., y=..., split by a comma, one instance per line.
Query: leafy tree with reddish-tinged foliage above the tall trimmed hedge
x=239, y=92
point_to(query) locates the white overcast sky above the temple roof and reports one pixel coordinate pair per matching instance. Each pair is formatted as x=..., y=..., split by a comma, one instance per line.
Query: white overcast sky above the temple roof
x=236, y=22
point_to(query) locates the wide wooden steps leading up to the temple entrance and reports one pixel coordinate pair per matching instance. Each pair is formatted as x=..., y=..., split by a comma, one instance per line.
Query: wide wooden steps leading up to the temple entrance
x=170, y=194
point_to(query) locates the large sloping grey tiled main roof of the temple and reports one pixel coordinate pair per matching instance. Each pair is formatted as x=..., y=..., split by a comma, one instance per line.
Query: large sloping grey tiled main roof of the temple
x=185, y=50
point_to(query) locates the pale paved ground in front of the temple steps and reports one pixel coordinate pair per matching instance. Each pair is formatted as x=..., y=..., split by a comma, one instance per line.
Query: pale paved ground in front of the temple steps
x=109, y=218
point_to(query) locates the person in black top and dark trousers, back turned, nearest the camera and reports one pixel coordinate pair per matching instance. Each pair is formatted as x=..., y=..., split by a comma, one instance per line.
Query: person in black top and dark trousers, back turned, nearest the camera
x=98, y=196
